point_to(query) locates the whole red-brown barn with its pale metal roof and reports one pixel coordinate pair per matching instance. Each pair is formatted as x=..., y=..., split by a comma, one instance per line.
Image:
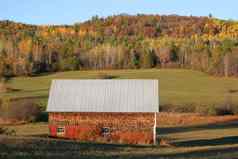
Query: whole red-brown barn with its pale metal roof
x=114, y=111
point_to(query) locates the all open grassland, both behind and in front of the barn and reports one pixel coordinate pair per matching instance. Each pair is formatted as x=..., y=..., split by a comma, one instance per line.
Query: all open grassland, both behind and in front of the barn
x=181, y=136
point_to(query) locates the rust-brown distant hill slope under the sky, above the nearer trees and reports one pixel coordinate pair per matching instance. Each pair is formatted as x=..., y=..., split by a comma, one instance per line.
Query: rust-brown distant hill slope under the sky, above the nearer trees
x=150, y=26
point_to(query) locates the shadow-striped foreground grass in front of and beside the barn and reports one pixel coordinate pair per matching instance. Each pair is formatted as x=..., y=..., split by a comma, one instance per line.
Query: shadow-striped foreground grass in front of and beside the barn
x=216, y=141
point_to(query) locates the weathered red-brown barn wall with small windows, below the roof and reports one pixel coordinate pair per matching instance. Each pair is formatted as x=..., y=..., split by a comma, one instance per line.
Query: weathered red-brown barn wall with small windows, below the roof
x=128, y=128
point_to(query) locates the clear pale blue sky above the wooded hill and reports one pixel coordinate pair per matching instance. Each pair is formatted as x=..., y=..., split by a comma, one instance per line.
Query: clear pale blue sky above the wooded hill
x=71, y=11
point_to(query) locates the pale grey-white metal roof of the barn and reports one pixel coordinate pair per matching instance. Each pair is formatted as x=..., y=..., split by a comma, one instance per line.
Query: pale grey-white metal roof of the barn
x=104, y=96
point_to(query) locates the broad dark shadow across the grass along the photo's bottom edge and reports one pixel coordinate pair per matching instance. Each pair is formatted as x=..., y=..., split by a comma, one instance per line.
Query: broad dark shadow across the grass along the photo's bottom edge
x=48, y=148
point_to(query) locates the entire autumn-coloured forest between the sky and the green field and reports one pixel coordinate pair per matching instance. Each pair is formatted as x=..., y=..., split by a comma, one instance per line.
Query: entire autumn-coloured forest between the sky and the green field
x=121, y=42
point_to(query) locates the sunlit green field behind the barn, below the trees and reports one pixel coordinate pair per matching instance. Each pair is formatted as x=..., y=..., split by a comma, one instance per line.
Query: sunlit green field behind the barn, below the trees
x=177, y=87
